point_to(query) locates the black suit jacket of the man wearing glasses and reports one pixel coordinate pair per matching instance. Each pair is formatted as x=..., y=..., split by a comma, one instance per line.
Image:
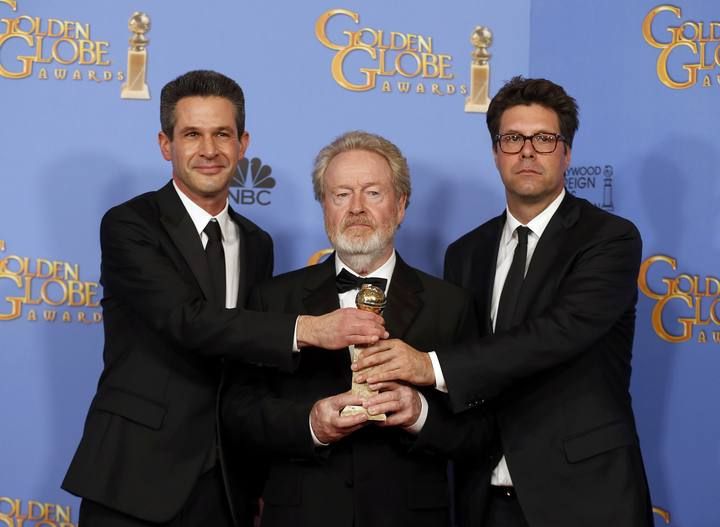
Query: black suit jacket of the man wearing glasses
x=558, y=381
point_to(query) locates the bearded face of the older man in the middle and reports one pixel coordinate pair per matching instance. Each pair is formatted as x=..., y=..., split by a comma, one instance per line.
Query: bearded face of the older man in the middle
x=361, y=208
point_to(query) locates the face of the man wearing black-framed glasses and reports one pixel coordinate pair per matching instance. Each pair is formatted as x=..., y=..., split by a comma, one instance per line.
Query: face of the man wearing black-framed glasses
x=532, y=181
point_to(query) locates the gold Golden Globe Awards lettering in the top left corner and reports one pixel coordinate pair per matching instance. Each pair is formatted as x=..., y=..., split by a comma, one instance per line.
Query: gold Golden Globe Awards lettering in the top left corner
x=45, y=48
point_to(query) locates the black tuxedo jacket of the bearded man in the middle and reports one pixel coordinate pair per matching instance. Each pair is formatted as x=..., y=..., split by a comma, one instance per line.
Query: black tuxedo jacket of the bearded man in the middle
x=376, y=476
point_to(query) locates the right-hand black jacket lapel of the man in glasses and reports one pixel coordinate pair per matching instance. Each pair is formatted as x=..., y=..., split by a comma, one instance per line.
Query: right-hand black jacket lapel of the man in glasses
x=552, y=240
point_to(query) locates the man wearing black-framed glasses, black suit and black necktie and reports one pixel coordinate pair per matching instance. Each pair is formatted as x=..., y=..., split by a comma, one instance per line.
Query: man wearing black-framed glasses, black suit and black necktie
x=554, y=280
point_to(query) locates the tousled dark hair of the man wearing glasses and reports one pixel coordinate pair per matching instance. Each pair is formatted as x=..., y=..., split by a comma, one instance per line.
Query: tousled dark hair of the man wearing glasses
x=520, y=90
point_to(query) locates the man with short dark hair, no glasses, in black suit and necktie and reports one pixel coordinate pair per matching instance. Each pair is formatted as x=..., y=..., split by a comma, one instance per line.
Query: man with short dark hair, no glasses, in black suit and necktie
x=176, y=267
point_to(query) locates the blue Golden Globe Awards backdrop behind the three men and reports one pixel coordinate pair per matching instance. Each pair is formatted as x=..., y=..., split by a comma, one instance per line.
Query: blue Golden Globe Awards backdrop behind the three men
x=80, y=83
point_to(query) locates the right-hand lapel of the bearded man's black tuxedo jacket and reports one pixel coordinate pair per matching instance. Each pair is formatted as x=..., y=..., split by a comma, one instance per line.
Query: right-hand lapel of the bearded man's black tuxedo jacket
x=403, y=301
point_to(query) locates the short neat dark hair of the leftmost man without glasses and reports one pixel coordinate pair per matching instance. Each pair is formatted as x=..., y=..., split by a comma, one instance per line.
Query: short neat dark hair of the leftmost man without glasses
x=200, y=83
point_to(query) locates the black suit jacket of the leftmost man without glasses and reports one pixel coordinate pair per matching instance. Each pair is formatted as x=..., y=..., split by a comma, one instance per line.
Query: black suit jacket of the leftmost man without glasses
x=152, y=423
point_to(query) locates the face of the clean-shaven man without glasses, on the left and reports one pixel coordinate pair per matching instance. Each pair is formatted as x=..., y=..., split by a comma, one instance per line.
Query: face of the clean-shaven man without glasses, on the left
x=204, y=150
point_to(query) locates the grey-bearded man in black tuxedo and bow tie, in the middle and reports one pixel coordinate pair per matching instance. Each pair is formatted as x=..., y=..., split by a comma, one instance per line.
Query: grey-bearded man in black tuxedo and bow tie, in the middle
x=330, y=470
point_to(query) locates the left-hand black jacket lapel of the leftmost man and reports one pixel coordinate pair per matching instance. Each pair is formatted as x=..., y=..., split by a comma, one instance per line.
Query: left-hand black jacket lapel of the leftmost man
x=182, y=232
